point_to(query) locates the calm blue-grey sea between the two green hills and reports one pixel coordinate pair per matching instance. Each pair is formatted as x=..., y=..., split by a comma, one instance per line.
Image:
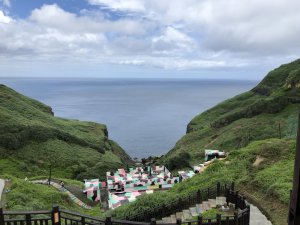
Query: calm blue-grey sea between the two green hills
x=146, y=117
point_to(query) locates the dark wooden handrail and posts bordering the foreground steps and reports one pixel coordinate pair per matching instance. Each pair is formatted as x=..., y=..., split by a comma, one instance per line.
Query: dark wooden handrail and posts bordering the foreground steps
x=55, y=215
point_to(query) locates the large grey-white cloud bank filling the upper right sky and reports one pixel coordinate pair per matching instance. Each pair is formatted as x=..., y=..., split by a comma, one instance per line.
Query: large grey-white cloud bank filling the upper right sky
x=253, y=26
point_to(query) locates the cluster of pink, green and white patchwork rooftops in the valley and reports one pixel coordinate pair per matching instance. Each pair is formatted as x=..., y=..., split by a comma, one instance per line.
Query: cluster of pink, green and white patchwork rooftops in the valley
x=124, y=186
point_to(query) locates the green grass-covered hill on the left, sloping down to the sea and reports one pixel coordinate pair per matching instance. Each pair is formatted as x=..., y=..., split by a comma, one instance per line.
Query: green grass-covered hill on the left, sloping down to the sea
x=32, y=138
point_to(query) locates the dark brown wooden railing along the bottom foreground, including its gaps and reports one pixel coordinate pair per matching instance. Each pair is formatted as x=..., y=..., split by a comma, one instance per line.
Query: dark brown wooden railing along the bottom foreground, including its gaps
x=58, y=216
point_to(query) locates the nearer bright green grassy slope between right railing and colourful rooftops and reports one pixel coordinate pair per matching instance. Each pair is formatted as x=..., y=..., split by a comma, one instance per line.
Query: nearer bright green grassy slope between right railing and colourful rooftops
x=267, y=184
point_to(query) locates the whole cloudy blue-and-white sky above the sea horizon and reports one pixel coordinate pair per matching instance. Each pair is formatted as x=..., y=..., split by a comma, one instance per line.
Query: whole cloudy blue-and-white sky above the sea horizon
x=240, y=39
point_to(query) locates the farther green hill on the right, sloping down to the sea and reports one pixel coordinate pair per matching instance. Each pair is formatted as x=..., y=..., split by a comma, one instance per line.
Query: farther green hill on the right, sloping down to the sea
x=267, y=111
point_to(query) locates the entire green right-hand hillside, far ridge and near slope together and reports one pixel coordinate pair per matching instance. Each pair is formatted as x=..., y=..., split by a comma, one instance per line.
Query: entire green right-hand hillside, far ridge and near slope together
x=247, y=126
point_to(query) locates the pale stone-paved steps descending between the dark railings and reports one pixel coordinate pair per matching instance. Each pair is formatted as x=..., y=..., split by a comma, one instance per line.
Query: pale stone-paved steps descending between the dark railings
x=192, y=212
